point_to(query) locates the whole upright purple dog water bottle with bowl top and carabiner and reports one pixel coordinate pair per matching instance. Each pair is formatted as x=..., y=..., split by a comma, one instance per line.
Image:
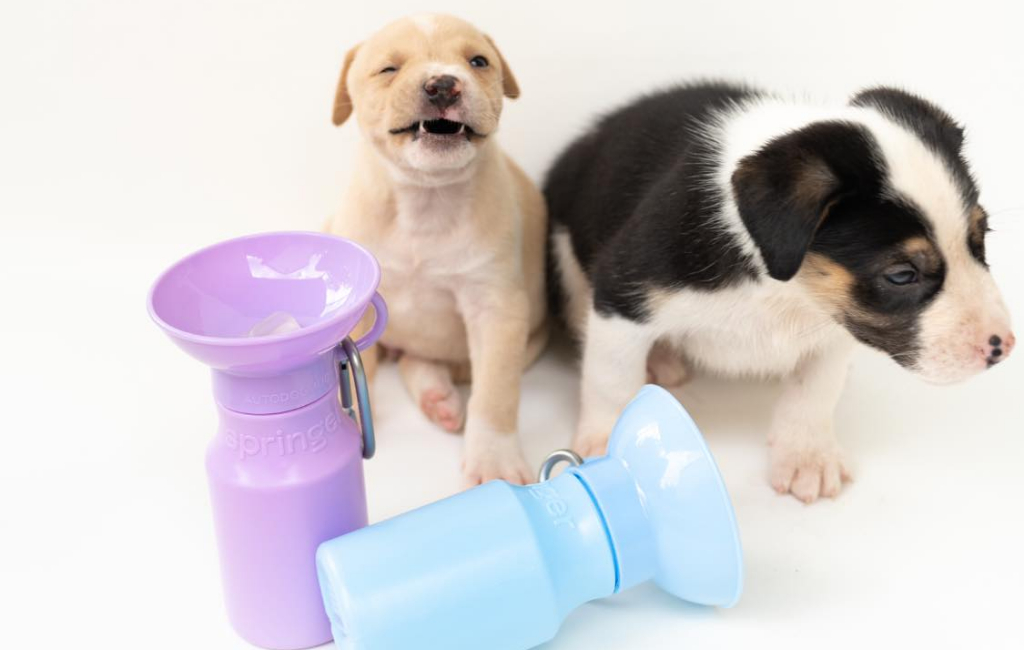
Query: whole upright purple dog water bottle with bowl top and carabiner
x=272, y=315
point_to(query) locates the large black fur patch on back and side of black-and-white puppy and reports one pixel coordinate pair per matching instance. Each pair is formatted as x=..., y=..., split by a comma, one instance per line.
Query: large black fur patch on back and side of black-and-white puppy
x=634, y=195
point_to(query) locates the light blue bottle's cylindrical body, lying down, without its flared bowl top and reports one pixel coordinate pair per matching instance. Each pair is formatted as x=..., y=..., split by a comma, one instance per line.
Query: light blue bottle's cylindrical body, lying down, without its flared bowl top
x=495, y=568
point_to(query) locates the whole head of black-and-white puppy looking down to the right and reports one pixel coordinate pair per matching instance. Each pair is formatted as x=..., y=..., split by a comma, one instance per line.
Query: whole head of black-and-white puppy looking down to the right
x=890, y=237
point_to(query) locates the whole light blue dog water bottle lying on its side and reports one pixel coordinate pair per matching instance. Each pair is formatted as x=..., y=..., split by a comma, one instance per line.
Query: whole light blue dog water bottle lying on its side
x=500, y=567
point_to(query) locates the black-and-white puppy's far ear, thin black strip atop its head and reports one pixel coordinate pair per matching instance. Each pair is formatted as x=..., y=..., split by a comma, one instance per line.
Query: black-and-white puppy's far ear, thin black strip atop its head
x=931, y=123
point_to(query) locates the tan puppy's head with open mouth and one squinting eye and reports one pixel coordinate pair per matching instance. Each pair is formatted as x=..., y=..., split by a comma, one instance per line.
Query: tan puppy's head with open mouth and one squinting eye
x=428, y=93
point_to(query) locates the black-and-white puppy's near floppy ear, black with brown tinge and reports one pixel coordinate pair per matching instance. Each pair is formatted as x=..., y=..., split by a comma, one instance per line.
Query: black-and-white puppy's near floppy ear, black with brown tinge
x=785, y=191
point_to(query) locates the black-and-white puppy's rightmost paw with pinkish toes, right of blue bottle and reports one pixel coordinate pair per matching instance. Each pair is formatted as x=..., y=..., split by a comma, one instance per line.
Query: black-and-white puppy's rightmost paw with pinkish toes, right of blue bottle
x=808, y=469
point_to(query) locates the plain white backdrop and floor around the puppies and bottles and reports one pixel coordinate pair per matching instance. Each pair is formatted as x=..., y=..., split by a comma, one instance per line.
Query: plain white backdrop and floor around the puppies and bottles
x=135, y=133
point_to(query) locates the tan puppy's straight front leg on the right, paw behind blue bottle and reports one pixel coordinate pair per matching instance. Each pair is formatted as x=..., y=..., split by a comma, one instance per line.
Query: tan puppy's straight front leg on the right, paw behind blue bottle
x=497, y=324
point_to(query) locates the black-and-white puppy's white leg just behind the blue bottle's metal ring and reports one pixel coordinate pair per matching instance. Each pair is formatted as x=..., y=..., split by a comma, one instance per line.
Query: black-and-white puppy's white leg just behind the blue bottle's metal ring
x=615, y=367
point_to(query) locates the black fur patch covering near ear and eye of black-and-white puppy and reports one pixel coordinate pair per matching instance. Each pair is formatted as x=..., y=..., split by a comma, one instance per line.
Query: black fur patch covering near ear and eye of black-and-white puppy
x=822, y=190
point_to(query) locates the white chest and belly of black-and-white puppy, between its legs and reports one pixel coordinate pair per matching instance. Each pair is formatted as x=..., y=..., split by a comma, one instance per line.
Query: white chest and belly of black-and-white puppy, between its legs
x=751, y=331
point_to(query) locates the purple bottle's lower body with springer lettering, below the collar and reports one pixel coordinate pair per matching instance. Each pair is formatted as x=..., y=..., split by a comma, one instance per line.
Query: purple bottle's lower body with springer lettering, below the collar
x=280, y=486
